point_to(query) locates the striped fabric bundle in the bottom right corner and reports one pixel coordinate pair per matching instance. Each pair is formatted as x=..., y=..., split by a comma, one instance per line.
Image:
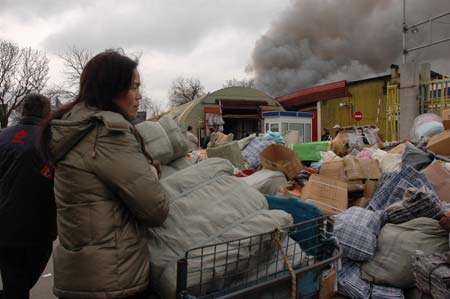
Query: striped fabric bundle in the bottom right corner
x=432, y=275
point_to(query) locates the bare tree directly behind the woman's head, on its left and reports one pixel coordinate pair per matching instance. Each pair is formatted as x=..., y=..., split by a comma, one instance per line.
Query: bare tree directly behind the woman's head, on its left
x=74, y=61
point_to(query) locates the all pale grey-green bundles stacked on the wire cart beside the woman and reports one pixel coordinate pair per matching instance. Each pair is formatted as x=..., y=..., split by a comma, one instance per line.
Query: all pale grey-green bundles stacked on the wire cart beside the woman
x=209, y=205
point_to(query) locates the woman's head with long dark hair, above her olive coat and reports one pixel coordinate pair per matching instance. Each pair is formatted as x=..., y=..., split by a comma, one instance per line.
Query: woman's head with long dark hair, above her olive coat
x=105, y=78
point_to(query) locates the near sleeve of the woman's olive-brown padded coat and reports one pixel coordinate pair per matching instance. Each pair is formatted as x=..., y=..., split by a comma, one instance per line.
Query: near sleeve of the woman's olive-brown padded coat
x=120, y=164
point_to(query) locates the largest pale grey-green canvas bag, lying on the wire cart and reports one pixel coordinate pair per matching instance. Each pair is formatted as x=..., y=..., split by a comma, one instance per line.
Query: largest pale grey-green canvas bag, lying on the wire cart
x=207, y=205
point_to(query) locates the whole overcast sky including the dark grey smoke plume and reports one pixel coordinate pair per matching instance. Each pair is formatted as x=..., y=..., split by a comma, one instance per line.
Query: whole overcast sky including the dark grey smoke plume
x=286, y=44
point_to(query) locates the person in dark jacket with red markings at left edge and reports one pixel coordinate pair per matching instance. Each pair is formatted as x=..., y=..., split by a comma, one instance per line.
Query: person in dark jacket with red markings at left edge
x=27, y=204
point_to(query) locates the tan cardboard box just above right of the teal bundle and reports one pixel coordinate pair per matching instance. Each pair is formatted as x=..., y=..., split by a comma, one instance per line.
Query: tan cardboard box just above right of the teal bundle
x=327, y=194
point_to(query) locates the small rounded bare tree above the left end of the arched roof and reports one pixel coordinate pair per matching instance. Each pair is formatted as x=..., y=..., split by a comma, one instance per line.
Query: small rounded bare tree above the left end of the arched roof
x=184, y=90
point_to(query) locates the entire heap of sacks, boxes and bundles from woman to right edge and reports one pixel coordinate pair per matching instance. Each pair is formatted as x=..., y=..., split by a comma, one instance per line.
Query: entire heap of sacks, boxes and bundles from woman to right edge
x=390, y=205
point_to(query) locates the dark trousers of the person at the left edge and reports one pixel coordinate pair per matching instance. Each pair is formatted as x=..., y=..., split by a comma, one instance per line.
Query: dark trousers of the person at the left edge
x=21, y=268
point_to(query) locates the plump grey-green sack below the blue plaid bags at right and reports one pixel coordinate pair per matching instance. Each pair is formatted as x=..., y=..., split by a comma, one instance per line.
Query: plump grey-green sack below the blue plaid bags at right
x=397, y=243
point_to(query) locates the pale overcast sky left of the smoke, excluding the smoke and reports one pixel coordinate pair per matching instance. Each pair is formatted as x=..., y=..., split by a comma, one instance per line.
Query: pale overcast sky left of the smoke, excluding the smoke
x=211, y=40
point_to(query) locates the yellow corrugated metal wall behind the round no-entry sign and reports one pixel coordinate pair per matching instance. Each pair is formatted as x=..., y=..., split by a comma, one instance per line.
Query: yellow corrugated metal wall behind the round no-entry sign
x=367, y=97
